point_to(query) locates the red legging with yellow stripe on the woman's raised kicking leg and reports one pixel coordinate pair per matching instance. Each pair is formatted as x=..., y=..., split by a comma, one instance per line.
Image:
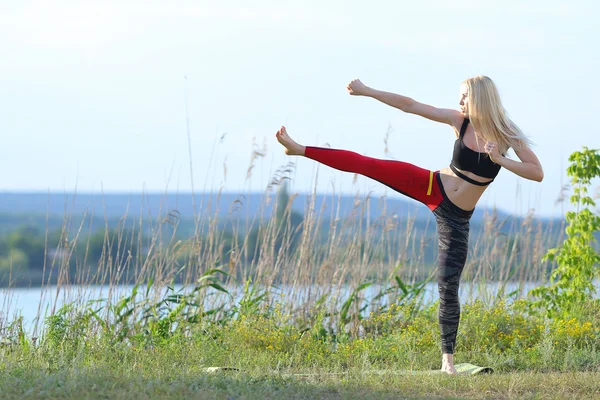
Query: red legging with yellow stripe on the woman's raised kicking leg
x=408, y=179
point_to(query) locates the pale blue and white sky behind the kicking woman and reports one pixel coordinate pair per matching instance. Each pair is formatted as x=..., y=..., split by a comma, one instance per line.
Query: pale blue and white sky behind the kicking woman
x=115, y=96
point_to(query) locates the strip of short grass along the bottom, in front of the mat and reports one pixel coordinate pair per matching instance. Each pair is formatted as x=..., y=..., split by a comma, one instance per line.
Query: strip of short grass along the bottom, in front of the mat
x=108, y=383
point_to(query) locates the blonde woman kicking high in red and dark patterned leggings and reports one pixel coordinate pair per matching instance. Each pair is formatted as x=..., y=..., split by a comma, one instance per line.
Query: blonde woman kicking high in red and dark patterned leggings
x=484, y=134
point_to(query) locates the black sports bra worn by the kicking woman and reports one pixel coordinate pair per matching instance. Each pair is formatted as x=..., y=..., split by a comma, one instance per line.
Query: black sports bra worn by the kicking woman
x=473, y=161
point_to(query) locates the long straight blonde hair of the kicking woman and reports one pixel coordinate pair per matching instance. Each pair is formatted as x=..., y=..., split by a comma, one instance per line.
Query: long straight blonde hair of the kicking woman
x=489, y=118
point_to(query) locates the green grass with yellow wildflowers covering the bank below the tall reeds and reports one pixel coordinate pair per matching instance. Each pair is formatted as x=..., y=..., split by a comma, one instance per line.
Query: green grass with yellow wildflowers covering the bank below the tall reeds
x=275, y=357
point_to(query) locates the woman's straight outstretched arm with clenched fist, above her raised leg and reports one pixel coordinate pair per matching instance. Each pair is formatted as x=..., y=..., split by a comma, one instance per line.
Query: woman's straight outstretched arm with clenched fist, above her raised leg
x=406, y=104
